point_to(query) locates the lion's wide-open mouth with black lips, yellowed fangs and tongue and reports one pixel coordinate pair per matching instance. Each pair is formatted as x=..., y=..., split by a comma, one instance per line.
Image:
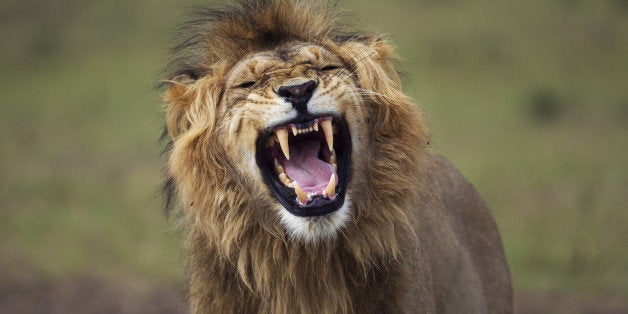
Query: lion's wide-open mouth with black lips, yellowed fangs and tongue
x=306, y=164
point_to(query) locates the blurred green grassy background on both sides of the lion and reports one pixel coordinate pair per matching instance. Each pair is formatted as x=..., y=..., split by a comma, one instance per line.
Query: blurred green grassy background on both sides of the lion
x=529, y=99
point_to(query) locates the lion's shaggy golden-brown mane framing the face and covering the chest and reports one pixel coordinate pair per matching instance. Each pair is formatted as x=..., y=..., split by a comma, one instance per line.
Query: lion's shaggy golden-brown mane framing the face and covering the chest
x=238, y=256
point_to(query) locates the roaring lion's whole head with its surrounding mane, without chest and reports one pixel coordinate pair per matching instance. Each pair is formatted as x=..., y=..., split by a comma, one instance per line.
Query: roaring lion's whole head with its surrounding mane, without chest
x=281, y=122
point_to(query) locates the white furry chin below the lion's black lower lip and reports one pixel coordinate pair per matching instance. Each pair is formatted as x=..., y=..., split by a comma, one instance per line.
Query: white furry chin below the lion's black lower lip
x=315, y=229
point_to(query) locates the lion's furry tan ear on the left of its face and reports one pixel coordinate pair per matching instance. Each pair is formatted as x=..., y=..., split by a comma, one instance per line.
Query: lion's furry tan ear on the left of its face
x=190, y=102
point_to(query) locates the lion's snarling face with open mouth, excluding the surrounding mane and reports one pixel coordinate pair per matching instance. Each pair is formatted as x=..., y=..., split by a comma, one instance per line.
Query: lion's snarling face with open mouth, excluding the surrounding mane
x=297, y=155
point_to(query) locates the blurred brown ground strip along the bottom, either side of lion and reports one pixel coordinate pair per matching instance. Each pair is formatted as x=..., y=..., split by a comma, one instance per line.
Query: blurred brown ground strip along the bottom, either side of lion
x=91, y=296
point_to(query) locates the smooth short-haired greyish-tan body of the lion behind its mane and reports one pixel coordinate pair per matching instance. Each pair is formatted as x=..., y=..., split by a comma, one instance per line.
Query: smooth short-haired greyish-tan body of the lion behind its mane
x=455, y=222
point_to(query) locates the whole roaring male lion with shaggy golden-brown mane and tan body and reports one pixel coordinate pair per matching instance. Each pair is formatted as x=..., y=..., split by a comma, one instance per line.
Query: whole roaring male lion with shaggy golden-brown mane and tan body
x=305, y=176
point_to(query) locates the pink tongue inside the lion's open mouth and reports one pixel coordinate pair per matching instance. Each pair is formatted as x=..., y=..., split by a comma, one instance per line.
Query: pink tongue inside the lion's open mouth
x=304, y=166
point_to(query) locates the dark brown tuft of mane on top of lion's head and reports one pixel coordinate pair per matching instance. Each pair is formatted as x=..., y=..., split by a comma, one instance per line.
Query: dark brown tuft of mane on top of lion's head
x=225, y=32
